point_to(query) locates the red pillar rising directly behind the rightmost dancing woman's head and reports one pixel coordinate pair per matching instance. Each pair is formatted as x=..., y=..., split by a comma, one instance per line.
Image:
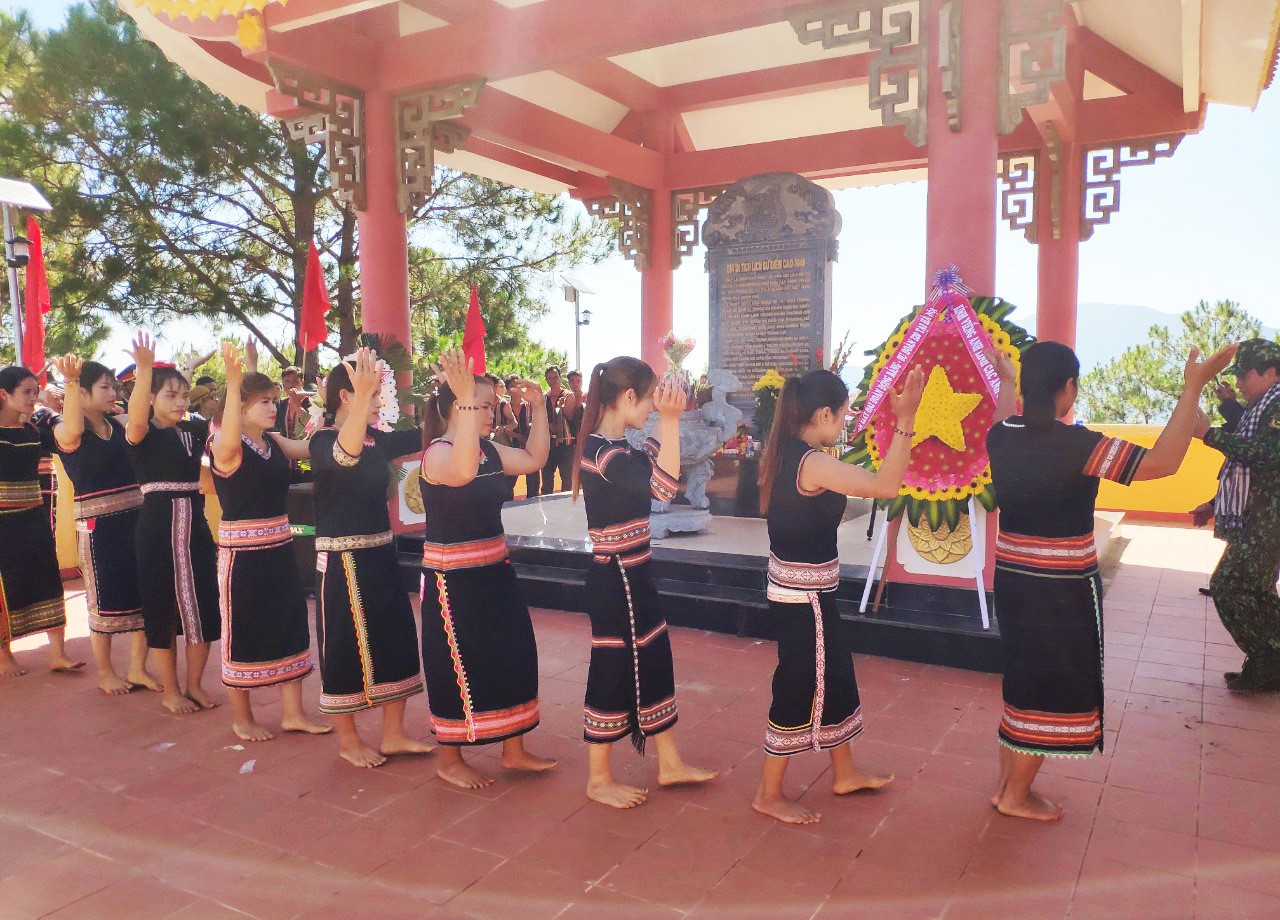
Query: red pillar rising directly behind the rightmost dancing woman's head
x=1059, y=260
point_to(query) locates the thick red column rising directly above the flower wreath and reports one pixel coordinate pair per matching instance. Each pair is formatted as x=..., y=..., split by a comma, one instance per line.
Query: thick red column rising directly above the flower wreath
x=962, y=196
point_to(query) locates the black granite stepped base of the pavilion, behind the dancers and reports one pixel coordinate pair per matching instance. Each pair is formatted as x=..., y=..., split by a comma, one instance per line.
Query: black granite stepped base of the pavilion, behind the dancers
x=725, y=593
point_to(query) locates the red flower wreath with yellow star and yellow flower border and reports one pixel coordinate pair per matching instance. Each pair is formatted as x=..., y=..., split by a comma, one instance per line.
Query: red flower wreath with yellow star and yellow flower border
x=940, y=479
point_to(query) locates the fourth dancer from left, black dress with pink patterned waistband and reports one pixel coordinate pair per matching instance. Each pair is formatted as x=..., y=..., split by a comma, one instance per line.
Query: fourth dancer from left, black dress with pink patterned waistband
x=266, y=637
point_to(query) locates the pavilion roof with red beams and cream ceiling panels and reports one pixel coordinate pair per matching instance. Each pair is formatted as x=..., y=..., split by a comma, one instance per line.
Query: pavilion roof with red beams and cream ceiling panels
x=680, y=94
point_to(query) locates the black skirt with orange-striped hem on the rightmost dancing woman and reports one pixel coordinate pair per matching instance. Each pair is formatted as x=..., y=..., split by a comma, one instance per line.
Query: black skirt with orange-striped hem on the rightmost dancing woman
x=1052, y=630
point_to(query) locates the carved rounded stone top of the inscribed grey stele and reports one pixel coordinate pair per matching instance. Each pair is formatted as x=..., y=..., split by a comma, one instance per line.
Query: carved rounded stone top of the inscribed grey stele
x=771, y=208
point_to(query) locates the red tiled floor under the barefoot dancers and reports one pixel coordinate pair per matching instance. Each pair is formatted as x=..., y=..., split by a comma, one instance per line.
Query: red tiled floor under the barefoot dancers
x=111, y=808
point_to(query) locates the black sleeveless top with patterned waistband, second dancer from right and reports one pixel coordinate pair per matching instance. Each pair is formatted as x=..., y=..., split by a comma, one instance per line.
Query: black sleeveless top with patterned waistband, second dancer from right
x=803, y=553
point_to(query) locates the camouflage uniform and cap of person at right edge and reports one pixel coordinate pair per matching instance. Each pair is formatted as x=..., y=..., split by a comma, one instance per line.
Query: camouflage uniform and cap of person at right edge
x=1245, y=583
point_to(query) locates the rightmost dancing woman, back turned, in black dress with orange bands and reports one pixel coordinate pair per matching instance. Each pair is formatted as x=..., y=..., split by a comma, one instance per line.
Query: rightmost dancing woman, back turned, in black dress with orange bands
x=1049, y=593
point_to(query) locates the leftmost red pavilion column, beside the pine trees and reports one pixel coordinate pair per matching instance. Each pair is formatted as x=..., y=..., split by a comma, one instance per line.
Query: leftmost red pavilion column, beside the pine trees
x=383, y=232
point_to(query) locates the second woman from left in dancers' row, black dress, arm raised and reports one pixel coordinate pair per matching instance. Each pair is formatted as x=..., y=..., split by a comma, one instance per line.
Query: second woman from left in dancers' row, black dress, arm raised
x=108, y=502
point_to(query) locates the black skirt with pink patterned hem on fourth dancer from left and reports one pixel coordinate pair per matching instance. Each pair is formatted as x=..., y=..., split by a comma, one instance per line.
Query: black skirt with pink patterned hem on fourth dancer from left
x=267, y=639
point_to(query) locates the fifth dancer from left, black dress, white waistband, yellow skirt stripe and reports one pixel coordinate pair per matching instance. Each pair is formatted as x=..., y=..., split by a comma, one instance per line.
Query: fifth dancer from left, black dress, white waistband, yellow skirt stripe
x=364, y=621
